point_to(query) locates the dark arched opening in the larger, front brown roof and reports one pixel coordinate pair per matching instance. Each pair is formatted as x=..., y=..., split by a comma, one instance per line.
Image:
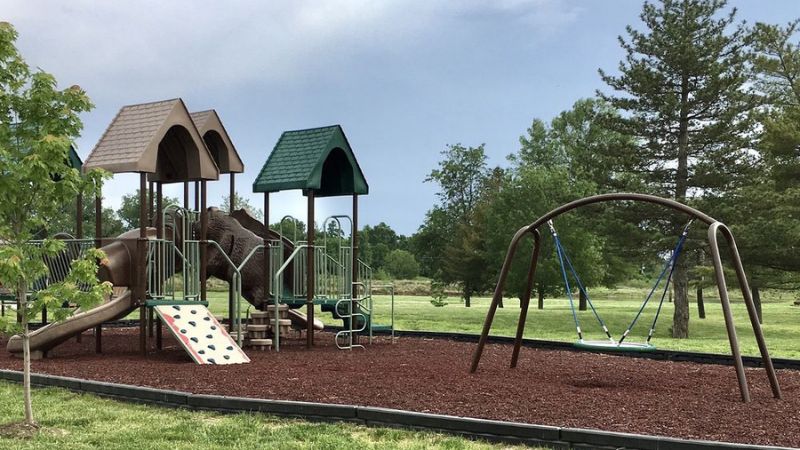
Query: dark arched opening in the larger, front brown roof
x=178, y=157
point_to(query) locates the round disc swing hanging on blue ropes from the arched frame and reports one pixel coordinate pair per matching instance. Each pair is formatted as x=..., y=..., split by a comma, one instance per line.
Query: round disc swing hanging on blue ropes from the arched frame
x=612, y=344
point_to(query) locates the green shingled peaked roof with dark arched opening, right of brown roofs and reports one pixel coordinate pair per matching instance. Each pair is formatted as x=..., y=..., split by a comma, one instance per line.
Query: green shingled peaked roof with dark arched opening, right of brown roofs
x=318, y=159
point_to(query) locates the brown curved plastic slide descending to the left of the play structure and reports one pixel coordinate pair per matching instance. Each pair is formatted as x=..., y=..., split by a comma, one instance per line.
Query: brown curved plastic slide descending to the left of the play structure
x=117, y=270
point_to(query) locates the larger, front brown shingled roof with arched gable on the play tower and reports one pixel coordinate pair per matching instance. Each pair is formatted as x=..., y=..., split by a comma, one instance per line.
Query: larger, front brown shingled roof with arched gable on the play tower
x=158, y=138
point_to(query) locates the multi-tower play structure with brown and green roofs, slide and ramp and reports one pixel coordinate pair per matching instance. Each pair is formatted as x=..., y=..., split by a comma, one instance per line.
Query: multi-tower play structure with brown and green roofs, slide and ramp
x=164, y=143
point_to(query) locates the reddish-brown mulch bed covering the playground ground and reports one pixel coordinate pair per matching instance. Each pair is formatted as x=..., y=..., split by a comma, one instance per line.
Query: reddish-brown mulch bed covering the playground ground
x=559, y=388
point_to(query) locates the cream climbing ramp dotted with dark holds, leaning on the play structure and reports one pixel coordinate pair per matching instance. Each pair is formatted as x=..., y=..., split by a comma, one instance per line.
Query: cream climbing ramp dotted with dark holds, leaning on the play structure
x=198, y=331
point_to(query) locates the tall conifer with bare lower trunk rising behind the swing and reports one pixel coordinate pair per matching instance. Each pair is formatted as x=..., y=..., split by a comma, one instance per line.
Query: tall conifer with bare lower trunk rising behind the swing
x=683, y=86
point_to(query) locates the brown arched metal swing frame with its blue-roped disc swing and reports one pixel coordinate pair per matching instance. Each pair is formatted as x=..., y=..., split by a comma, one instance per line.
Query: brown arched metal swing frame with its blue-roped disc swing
x=714, y=228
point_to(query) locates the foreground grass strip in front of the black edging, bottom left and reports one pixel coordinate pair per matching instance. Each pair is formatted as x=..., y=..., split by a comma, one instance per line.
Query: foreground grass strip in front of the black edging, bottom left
x=80, y=421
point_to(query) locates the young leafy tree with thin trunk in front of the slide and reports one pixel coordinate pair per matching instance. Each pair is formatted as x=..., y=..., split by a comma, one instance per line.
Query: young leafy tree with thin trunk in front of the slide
x=37, y=125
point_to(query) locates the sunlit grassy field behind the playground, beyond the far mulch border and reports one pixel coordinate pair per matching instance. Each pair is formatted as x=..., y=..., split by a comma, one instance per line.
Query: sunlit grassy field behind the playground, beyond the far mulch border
x=617, y=307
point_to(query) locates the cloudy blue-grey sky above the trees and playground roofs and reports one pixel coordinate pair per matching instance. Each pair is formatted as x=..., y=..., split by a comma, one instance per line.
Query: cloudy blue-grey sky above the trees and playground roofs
x=404, y=78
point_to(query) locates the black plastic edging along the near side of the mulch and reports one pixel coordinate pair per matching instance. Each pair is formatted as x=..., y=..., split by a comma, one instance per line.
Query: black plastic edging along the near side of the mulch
x=491, y=430
